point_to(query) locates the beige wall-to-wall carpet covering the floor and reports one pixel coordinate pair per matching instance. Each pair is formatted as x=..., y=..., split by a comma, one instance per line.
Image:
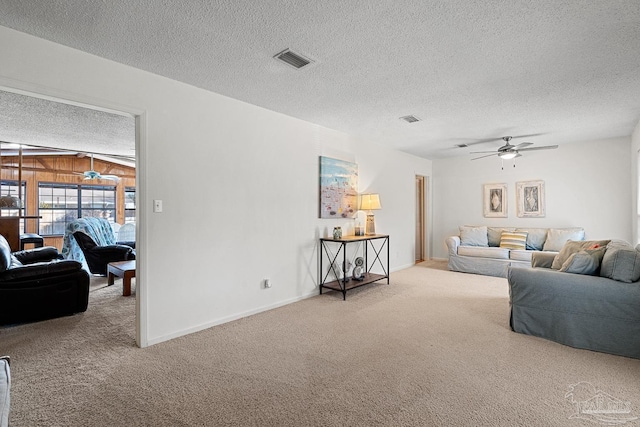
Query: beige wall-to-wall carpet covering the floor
x=432, y=348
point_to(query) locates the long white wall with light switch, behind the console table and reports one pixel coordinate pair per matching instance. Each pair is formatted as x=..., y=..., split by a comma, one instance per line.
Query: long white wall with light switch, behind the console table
x=239, y=185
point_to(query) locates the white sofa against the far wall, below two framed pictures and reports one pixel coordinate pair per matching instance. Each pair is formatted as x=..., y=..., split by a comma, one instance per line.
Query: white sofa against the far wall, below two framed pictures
x=471, y=252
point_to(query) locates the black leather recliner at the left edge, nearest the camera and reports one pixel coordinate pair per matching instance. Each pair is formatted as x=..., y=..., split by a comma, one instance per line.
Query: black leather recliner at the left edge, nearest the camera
x=35, y=284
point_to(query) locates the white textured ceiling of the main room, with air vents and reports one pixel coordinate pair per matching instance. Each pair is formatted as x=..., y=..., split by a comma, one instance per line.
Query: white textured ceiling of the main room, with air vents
x=565, y=71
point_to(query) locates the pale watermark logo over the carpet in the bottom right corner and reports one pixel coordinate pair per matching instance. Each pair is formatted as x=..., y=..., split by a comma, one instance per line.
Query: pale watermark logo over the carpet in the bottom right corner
x=597, y=406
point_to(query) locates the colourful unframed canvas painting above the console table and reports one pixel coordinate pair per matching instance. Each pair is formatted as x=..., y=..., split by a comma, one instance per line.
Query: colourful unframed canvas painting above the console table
x=338, y=188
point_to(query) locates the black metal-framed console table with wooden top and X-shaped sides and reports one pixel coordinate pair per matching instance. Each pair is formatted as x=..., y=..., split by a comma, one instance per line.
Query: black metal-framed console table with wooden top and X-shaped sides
x=343, y=283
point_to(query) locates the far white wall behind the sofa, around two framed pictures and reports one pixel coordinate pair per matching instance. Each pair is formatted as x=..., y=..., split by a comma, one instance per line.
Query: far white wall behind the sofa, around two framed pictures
x=586, y=185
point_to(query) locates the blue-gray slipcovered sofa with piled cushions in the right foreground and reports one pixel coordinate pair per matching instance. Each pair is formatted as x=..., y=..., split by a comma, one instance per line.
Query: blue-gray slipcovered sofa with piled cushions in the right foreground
x=595, y=307
